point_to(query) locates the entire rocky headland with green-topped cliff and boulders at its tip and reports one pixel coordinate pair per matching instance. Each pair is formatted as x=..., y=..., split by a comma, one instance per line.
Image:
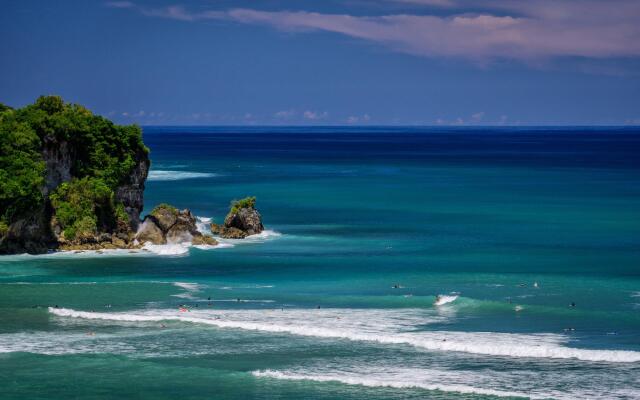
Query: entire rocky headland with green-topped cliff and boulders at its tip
x=72, y=180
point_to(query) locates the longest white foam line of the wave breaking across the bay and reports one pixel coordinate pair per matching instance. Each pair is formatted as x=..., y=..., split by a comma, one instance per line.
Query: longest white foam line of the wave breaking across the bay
x=380, y=326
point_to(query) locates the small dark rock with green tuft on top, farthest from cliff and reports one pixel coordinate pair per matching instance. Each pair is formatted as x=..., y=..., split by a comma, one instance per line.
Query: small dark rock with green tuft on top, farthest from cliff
x=243, y=220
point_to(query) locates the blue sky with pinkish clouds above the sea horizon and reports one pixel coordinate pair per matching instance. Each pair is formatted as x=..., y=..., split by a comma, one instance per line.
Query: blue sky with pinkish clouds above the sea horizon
x=329, y=62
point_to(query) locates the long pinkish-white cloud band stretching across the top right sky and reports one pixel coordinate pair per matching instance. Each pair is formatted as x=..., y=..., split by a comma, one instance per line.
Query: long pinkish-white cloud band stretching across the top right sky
x=501, y=29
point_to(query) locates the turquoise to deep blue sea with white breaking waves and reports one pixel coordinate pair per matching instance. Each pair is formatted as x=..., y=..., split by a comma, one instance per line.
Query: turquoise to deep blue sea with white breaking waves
x=336, y=299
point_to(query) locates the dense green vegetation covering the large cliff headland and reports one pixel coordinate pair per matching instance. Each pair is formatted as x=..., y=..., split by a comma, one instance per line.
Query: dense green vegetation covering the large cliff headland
x=103, y=156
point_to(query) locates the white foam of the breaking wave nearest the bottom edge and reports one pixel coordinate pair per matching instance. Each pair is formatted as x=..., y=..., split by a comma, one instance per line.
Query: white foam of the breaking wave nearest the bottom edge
x=403, y=379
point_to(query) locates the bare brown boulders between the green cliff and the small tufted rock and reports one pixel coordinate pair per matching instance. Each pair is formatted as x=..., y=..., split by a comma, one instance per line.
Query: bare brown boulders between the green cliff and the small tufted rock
x=167, y=224
